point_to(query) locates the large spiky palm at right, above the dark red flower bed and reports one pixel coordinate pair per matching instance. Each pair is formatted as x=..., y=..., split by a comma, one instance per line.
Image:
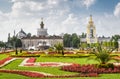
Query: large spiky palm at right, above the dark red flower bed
x=102, y=54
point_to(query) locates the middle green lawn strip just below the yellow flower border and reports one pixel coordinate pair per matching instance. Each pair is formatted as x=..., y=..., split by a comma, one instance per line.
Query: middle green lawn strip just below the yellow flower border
x=66, y=59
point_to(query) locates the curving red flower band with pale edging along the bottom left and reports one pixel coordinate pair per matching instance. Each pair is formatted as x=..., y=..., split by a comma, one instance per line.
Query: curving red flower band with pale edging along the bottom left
x=37, y=74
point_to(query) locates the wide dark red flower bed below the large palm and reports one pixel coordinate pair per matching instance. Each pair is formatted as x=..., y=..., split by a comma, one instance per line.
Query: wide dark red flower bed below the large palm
x=90, y=70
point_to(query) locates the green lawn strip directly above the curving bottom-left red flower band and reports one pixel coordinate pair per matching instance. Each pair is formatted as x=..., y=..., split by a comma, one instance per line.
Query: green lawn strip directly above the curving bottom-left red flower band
x=14, y=65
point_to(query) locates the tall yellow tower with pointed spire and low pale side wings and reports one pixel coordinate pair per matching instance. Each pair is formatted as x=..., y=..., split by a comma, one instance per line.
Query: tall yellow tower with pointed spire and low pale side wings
x=91, y=34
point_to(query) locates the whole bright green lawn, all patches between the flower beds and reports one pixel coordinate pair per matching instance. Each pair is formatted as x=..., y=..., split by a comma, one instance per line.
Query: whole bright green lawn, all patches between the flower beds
x=52, y=70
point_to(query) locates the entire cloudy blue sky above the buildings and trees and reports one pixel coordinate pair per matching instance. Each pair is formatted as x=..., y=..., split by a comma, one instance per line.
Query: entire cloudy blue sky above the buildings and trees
x=59, y=16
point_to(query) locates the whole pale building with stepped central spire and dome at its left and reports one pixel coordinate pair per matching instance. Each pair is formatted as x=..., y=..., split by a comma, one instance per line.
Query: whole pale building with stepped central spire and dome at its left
x=41, y=41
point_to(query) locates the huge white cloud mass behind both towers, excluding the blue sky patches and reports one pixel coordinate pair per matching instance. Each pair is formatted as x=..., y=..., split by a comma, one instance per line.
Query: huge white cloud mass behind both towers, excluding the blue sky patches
x=58, y=17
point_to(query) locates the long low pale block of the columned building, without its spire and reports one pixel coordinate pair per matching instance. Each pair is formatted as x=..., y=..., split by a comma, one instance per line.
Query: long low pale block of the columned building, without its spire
x=39, y=42
